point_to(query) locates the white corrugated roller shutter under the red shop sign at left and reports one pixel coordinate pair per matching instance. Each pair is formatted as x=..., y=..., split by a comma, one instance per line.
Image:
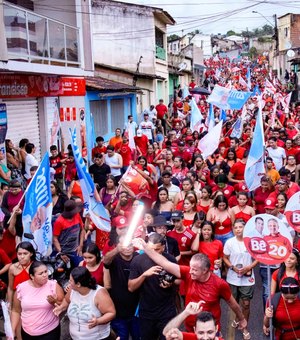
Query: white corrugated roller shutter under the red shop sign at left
x=23, y=122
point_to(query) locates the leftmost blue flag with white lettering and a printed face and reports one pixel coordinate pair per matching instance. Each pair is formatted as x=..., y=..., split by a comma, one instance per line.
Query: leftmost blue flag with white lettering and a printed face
x=37, y=212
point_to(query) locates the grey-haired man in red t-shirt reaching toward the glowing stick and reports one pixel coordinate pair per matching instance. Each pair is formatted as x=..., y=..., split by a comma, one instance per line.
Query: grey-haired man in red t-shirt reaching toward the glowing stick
x=200, y=284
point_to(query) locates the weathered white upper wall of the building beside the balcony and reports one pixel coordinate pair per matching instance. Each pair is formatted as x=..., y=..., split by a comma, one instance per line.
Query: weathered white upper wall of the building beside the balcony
x=121, y=34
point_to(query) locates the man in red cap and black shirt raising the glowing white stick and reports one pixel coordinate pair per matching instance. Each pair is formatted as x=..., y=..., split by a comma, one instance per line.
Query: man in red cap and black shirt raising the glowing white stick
x=118, y=262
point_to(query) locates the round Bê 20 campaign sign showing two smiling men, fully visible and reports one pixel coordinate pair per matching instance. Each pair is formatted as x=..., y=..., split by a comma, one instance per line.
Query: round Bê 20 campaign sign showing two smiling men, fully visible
x=267, y=239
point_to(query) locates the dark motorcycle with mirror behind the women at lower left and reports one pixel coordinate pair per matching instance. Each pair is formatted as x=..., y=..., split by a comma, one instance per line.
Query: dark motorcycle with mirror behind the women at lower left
x=57, y=269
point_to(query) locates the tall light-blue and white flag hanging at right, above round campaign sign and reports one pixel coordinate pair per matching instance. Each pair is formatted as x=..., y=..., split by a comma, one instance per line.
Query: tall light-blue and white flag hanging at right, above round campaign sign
x=255, y=168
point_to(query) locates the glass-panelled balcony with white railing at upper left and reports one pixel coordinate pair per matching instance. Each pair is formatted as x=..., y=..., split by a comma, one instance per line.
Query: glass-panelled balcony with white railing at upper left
x=37, y=39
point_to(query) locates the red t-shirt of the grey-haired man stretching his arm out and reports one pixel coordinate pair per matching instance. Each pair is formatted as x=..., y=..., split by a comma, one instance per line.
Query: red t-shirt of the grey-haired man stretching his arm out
x=211, y=292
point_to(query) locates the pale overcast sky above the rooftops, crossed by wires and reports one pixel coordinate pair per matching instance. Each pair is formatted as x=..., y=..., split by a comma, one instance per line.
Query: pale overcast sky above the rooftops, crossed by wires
x=218, y=16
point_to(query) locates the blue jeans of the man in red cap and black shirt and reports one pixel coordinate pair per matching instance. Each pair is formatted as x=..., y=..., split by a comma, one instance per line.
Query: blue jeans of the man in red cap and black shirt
x=125, y=327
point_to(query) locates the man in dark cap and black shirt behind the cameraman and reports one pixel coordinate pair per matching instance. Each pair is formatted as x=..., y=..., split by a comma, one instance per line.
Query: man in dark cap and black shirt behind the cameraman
x=160, y=226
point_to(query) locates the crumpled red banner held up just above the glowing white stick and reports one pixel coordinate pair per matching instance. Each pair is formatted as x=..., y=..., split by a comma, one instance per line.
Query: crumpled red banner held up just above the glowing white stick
x=136, y=183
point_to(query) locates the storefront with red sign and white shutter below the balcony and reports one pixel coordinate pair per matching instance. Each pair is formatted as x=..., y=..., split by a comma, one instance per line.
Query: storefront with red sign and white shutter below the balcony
x=41, y=108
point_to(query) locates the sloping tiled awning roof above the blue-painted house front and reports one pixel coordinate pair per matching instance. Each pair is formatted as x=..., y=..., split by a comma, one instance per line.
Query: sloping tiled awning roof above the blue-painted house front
x=107, y=85
